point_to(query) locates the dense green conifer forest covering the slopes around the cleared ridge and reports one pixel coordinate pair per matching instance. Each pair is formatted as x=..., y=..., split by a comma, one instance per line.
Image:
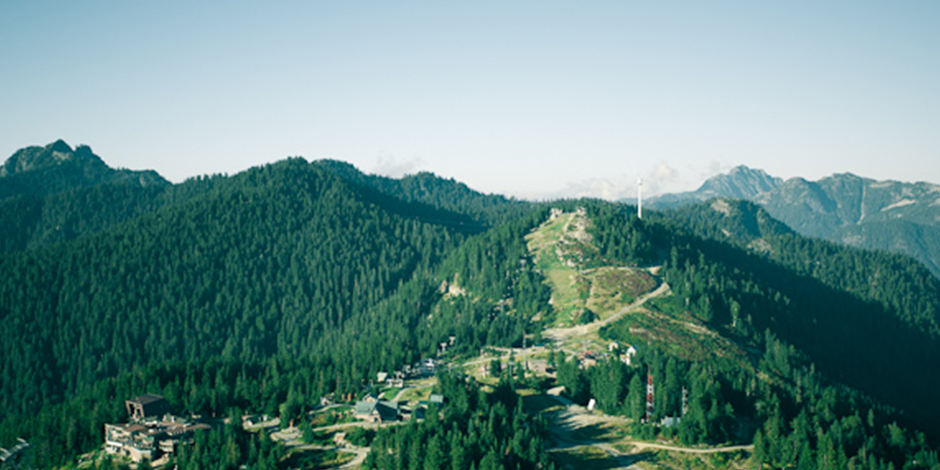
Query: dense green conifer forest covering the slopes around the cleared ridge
x=264, y=291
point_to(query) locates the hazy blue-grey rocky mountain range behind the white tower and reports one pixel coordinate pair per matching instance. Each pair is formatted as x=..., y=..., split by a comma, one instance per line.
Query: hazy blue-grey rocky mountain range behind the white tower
x=845, y=208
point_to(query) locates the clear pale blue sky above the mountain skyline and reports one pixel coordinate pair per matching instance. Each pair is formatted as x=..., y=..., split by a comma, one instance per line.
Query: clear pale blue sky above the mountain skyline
x=531, y=99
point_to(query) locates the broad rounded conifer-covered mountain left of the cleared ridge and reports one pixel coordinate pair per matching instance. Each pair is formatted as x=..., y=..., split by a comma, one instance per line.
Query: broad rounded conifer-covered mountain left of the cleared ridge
x=264, y=263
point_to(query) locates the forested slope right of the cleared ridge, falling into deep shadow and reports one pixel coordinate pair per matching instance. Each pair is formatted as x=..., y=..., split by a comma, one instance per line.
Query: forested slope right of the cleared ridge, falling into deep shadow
x=817, y=348
